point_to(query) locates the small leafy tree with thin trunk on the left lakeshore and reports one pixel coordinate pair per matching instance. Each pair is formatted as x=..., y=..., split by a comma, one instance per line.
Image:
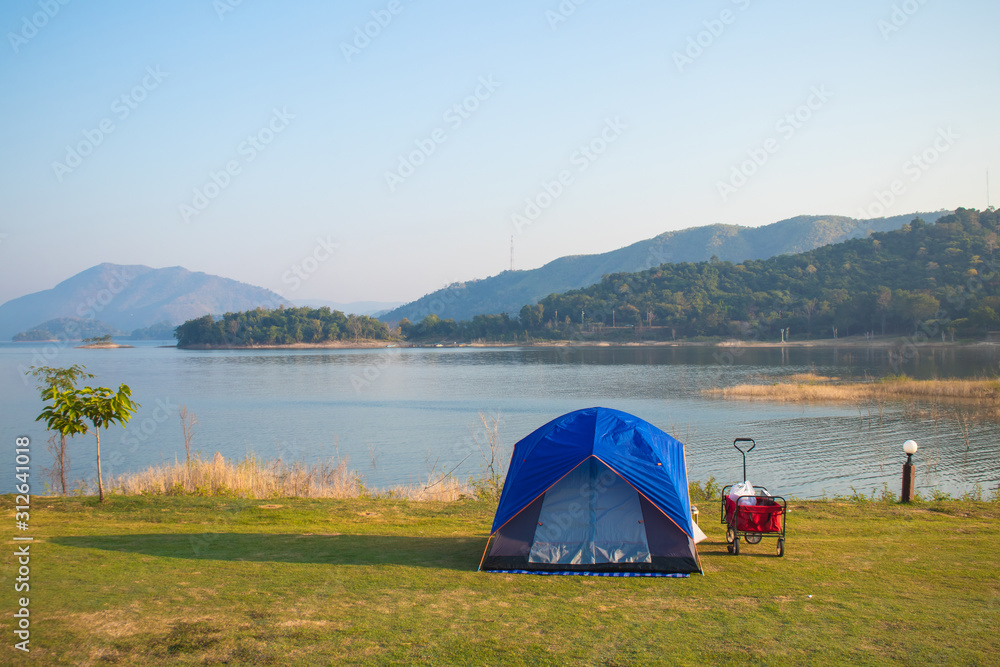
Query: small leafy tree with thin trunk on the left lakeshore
x=102, y=407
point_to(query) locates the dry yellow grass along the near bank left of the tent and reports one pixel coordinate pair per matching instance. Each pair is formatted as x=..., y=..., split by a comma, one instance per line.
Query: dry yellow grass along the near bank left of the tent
x=253, y=478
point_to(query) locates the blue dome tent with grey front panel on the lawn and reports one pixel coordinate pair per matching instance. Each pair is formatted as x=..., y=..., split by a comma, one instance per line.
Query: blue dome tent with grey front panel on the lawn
x=595, y=491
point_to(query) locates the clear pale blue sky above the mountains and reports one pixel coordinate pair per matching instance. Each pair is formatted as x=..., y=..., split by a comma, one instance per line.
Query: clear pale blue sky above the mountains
x=666, y=124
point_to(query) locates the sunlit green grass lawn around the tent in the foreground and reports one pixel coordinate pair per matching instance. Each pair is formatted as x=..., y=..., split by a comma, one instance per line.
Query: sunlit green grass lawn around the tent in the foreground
x=188, y=580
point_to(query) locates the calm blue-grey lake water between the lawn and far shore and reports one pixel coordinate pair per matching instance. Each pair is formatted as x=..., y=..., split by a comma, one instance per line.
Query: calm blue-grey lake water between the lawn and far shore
x=399, y=413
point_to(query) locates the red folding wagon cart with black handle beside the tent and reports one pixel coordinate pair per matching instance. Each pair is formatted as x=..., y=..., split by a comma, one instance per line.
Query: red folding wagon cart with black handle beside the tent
x=752, y=516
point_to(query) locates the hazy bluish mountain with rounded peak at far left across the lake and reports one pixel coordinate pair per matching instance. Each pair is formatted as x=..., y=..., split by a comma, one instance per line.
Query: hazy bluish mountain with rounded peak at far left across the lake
x=130, y=297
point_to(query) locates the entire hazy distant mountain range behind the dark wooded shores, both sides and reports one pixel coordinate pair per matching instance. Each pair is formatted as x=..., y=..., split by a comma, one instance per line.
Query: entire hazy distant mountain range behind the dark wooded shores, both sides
x=113, y=298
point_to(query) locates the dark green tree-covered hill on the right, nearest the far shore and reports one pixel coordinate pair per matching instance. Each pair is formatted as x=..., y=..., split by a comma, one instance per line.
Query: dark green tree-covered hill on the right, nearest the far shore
x=934, y=278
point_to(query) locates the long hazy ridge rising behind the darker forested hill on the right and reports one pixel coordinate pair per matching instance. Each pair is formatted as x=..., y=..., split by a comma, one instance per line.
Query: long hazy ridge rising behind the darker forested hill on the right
x=510, y=290
